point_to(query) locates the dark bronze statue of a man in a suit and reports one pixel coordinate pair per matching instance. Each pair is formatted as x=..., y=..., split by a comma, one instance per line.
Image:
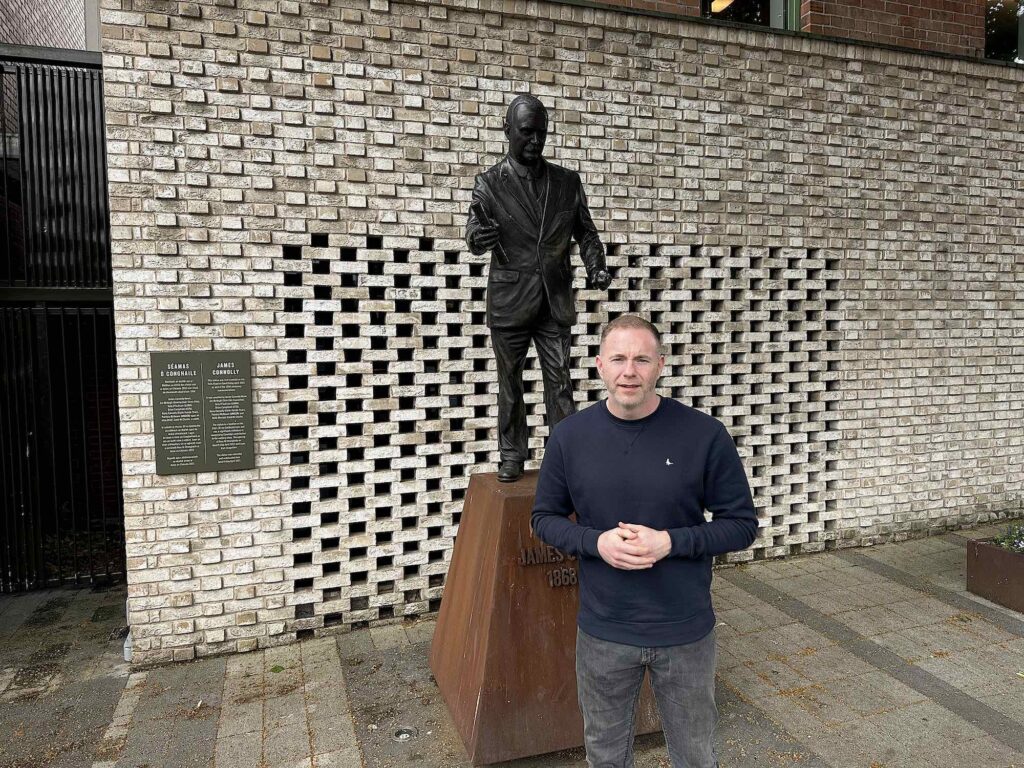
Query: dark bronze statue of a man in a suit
x=527, y=212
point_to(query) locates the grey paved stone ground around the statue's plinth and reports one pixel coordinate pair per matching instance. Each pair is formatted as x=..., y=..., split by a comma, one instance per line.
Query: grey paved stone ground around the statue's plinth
x=875, y=658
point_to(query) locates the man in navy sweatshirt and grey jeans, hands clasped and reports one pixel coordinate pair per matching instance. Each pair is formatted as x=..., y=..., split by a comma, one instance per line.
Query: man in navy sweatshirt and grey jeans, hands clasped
x=639, y=472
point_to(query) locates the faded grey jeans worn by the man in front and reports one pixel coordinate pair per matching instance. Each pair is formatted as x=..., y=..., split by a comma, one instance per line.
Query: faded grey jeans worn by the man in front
x=609, y=680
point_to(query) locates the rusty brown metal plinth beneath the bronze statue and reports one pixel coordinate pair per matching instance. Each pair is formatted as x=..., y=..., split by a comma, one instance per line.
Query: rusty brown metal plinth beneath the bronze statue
x=504, y=649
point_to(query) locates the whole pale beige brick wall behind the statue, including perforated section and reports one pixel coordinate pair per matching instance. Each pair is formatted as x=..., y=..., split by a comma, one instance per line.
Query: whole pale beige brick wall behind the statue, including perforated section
x=829, y=234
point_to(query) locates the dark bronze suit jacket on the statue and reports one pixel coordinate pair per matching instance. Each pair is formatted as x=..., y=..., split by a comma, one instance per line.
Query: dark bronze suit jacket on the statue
x=536, y=240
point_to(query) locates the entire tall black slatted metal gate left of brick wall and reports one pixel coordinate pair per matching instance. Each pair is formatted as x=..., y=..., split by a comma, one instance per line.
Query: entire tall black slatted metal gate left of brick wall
x=62, y=519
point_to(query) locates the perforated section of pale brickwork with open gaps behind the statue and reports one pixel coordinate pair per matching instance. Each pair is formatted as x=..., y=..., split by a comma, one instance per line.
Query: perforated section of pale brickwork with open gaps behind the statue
x=392, y=399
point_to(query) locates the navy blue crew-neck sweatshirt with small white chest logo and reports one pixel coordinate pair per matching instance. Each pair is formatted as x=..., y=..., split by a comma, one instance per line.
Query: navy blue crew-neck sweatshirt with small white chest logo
x=662, y=472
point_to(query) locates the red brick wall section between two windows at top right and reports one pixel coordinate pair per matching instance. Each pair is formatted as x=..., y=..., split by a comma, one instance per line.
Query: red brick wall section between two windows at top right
x=948, y=26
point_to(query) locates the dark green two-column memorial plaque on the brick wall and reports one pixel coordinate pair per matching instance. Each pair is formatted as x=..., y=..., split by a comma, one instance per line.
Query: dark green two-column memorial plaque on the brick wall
x=203, y=412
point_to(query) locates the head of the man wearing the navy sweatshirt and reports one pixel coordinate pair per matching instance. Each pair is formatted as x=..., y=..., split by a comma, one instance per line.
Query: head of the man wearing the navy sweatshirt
x=629, y=365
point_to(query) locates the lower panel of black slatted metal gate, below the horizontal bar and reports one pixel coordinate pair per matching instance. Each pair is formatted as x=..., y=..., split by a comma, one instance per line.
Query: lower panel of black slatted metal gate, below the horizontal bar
x=61, y=477
